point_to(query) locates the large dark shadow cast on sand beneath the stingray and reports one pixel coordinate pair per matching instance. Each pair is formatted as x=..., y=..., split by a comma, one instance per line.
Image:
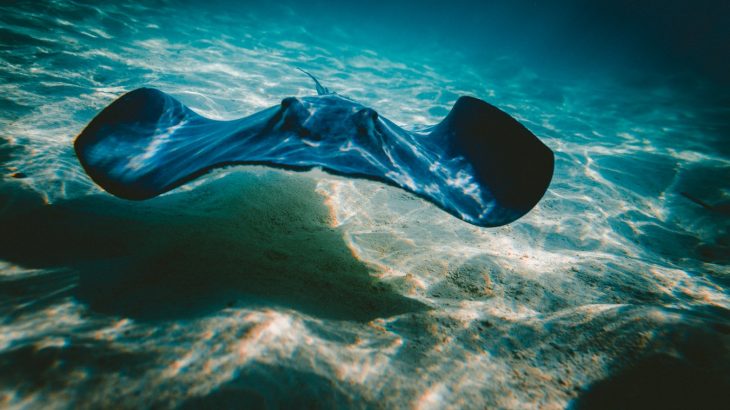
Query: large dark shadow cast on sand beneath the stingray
x=254, y=238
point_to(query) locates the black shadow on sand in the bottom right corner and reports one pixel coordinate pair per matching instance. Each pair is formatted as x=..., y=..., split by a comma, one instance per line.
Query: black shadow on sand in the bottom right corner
x=689, y=370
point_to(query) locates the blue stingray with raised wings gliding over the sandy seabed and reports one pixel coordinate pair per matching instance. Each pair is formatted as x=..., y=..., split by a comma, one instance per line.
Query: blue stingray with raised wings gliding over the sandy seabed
x=478, y=164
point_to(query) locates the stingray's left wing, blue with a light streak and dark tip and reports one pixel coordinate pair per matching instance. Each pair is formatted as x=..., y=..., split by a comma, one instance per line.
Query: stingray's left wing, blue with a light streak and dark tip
x=146, y=143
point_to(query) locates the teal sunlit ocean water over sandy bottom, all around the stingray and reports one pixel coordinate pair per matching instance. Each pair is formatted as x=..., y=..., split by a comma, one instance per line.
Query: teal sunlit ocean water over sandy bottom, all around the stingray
x=261, y=288
